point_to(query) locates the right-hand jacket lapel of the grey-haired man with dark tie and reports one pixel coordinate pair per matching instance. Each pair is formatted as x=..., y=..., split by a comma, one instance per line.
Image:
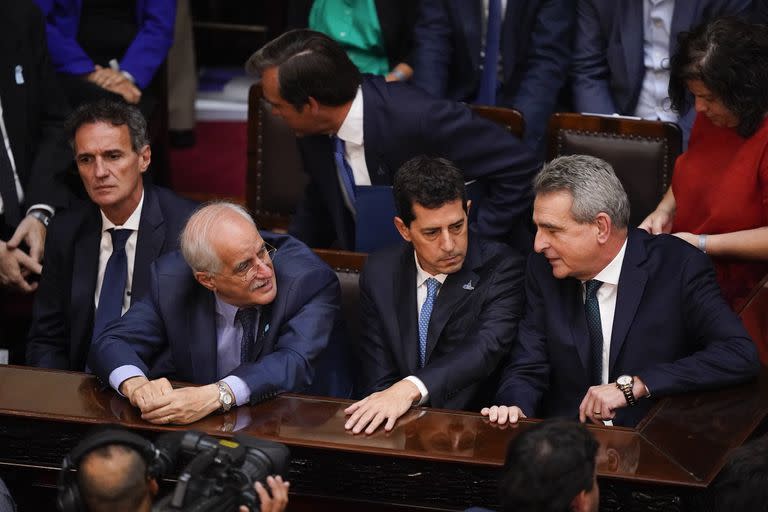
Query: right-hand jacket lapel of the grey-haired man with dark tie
x=631, y=287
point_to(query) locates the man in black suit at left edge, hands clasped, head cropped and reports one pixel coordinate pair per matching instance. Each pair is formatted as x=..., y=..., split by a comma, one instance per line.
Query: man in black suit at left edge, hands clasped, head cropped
x=33, y=150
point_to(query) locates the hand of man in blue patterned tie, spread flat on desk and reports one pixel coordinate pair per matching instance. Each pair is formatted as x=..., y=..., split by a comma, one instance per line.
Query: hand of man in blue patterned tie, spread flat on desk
x=387, y=405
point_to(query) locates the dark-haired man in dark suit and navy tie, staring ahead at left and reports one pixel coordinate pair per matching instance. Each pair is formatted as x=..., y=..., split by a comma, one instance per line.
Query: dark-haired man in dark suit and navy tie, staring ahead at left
x=111, y=148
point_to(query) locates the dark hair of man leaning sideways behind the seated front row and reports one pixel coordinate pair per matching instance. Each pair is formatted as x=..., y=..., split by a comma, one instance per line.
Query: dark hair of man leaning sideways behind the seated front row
x=310, y=64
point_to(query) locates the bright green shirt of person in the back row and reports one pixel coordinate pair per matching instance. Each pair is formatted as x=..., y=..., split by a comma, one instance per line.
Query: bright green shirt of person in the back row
x=355, y=25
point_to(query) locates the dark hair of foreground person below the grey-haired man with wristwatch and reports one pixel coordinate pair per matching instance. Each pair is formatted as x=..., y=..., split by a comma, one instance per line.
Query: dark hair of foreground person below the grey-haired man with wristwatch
x=547, y=466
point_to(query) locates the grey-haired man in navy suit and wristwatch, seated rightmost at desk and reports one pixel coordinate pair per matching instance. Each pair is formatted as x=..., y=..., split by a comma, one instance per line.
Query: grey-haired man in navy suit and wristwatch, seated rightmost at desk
x=614, y=317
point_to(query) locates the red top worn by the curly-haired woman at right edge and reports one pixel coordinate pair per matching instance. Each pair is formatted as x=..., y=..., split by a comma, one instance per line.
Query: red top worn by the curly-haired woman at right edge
x=720, y=186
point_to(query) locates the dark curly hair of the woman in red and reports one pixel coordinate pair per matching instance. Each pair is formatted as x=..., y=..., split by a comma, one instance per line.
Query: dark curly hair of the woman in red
x=730, y=56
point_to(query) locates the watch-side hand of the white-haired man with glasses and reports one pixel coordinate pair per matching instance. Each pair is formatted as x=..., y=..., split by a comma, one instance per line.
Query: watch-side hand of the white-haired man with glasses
x=182, y=405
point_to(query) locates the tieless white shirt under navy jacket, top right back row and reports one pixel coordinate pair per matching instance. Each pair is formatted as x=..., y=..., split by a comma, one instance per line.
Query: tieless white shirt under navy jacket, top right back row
x=653, y=102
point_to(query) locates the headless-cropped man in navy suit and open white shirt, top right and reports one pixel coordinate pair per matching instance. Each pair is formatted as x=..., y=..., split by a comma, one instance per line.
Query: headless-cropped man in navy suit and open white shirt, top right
x=622, y=50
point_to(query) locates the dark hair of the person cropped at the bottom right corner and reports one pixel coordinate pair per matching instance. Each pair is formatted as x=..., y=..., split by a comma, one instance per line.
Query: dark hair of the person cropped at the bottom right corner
x=743, y=482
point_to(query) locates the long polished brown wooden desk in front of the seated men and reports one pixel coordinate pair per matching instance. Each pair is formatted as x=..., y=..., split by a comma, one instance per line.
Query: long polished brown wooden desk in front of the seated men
x=441, y=460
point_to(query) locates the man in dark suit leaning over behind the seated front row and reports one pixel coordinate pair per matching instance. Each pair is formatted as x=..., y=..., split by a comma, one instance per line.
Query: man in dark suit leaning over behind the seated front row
x=375, y=127
